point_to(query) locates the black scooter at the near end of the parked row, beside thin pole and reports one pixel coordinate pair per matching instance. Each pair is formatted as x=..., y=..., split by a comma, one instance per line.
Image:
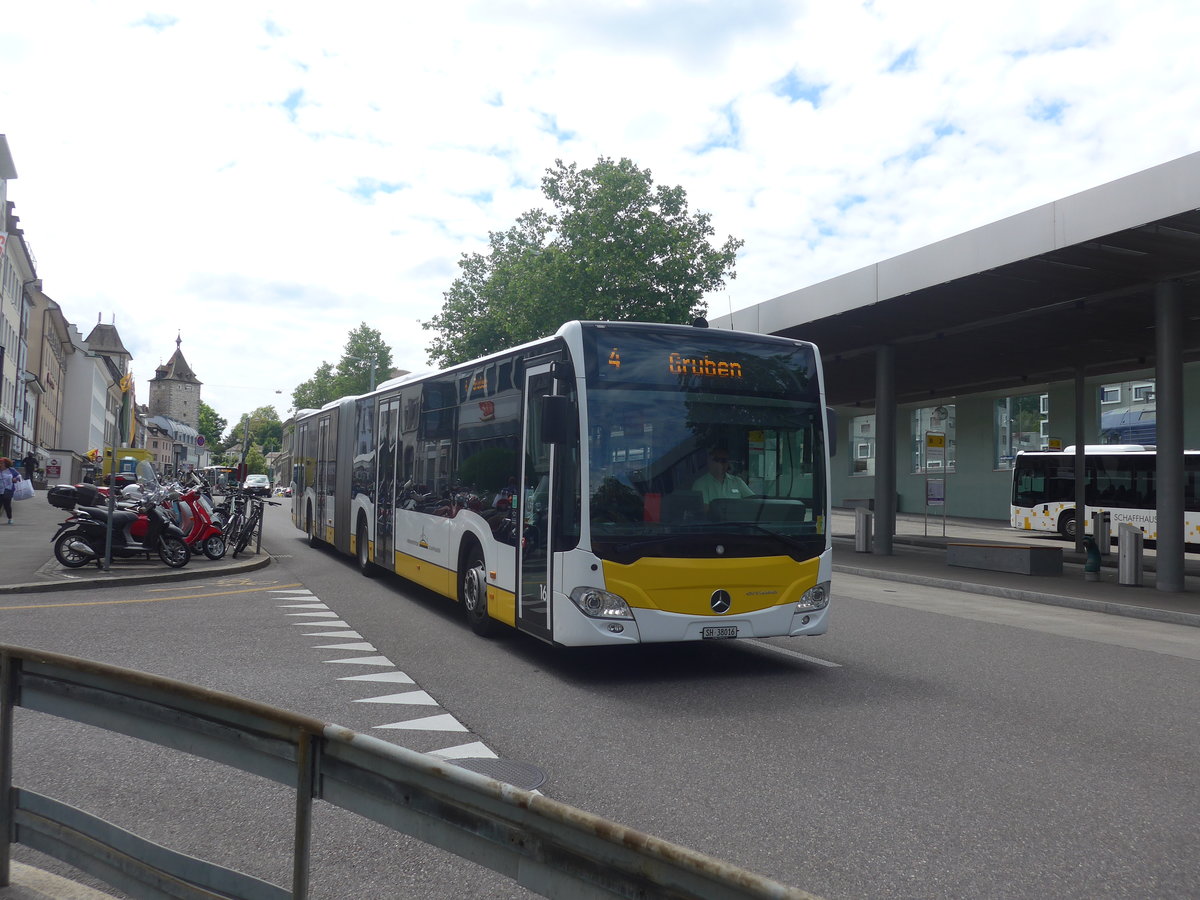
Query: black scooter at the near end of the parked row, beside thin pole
x=151, y=530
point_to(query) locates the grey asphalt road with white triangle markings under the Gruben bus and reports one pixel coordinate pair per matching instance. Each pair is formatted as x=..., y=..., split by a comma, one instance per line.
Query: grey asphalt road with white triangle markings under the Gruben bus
x=934, y=745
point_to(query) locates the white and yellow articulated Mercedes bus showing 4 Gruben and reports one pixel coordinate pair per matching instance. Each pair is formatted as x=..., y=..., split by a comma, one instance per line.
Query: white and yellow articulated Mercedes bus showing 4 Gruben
x=616, y=483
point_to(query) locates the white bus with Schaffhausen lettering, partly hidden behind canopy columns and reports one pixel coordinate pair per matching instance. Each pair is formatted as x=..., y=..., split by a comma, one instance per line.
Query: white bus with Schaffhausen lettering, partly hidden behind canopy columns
x=1120, y=479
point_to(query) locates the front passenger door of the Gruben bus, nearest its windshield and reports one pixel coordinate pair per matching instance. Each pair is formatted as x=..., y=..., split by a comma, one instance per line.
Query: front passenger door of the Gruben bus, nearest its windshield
x=535, y=574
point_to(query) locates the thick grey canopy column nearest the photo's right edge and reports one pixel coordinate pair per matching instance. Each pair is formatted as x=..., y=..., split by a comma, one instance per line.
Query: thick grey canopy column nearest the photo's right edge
x=1169, y=401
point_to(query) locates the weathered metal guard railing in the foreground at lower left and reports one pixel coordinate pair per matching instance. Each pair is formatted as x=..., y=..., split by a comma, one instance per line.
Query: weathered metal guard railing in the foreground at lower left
x=547, y=847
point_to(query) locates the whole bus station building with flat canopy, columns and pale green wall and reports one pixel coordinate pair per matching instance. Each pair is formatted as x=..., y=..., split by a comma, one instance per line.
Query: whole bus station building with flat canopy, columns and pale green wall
x=1028, y=333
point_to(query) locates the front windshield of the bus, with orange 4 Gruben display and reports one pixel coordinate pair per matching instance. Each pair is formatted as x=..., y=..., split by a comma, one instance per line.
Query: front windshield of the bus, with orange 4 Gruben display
x=704, y=452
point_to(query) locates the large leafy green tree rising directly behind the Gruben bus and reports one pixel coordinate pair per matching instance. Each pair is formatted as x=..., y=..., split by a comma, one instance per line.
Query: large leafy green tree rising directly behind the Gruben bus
x=615, y=247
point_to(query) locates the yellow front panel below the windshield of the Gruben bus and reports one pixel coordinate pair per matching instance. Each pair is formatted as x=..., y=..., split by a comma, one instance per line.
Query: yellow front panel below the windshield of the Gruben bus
x=687, y=586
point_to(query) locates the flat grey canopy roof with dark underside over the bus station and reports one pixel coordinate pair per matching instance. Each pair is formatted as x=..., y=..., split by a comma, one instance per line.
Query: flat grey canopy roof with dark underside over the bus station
x=1013, y=305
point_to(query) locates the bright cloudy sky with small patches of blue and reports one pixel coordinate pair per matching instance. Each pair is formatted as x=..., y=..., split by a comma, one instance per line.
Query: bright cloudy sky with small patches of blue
x=261, y=178
